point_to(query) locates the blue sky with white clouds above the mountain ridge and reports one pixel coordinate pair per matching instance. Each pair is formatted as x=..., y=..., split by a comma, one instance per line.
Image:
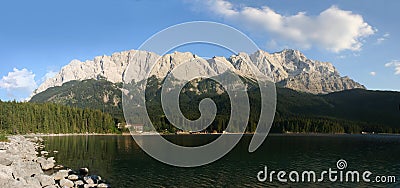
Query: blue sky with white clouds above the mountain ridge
x=37, y=38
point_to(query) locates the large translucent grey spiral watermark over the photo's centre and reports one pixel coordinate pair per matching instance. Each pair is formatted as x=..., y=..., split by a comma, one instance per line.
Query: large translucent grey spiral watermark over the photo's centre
x=147, y=61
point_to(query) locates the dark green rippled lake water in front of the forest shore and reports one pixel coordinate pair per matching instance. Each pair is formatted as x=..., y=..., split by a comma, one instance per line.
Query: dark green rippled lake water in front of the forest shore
x=120, y=161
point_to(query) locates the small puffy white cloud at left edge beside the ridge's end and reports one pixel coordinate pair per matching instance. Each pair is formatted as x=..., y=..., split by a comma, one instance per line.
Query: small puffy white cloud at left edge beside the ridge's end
x=19, y=82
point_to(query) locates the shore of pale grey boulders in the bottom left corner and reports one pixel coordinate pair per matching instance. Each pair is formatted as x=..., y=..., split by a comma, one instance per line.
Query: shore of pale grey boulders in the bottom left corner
x=21, y=166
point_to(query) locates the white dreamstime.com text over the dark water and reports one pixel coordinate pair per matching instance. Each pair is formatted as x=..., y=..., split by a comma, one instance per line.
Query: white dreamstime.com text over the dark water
x=338, y=174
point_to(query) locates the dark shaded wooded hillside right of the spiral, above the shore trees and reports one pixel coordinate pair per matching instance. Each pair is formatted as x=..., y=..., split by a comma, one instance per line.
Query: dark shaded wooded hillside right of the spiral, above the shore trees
x=355, y=110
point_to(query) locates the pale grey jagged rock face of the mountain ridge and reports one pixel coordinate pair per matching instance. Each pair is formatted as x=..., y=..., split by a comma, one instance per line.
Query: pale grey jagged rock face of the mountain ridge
x=288, y=68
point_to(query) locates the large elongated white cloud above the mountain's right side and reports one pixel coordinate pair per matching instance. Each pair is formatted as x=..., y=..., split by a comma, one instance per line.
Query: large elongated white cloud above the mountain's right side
x=333, y=29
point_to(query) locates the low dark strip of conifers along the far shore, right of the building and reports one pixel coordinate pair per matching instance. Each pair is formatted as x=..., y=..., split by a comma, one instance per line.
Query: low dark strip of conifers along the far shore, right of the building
x=289, y=125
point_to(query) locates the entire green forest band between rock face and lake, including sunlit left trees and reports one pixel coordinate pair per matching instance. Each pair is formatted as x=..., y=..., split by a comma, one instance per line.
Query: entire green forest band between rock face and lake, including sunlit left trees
x=352, y=111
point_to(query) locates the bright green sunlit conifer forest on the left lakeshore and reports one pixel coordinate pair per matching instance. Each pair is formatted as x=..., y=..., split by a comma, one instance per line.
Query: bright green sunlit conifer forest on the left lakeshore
x=22, y=118
